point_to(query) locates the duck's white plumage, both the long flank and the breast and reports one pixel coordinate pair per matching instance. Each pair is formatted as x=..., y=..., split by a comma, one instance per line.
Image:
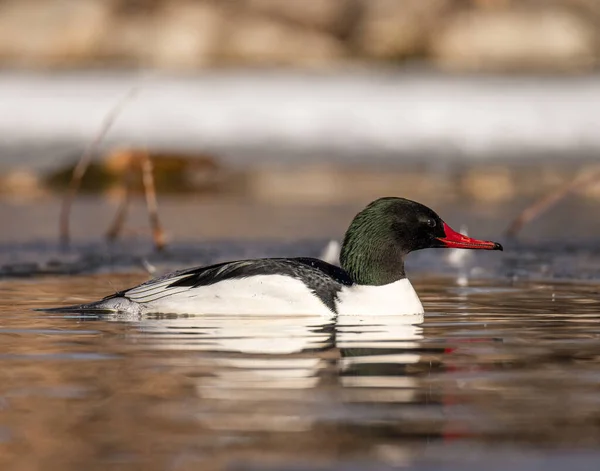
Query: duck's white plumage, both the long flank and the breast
x=266, y=295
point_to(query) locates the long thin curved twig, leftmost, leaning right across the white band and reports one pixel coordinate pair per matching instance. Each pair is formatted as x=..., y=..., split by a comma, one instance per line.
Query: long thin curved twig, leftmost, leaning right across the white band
x=84, y=163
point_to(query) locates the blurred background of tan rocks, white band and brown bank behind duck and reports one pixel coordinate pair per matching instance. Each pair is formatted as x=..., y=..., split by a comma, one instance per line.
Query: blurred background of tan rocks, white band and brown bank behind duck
x=279, y=118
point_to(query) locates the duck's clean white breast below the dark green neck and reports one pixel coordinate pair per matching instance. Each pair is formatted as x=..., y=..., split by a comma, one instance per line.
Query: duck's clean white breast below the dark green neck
x=398, y=298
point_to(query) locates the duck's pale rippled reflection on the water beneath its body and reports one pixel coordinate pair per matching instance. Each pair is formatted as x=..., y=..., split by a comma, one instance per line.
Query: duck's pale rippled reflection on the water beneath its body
x=288, y=373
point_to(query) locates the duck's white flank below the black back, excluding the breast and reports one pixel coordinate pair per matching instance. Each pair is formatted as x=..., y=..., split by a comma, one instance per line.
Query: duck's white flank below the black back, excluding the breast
x=258, y=295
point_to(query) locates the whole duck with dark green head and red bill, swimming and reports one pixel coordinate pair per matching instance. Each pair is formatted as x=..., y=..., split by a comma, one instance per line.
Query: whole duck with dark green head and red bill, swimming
x=371, y=278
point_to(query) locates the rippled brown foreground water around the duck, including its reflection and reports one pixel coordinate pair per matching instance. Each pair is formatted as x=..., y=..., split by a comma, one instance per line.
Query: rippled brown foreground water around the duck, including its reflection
x=498, y=374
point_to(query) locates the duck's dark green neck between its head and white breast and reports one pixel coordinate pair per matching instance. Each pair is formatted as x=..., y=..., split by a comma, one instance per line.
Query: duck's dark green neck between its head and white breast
x=374, y=261
